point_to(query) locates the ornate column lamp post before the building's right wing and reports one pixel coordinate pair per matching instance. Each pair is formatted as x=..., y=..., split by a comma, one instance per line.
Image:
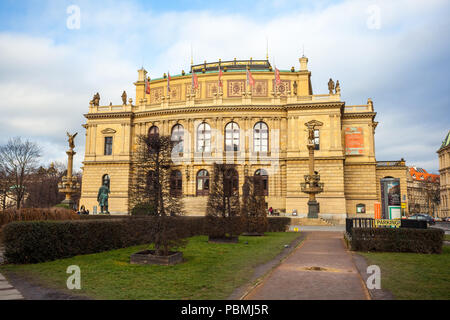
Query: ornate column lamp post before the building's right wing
x=312, y=186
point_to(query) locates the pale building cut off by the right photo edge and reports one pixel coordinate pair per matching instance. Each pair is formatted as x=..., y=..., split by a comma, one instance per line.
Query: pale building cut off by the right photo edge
x=444, y=171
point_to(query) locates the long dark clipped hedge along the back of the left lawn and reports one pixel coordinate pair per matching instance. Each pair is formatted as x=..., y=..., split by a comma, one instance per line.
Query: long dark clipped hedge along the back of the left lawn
x=39, y=241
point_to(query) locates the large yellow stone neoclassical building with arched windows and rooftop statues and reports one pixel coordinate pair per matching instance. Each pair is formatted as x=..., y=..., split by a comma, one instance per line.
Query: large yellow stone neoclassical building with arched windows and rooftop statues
x=259, y=124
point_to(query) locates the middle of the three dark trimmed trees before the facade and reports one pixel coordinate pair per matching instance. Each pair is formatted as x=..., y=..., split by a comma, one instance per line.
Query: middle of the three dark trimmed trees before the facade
x=223, y=208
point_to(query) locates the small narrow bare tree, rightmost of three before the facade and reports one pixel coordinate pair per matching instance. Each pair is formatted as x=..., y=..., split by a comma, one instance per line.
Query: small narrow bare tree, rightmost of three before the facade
x=253, y=210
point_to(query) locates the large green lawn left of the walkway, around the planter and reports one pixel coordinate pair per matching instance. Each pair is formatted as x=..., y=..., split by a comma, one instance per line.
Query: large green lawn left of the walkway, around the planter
x=211, y=271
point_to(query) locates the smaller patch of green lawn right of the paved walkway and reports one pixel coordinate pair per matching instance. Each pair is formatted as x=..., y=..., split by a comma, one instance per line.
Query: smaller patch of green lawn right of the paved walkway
x=414, y=276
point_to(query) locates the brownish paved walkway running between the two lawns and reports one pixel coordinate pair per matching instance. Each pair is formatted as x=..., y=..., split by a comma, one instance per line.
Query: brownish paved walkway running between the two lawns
x=320, y=269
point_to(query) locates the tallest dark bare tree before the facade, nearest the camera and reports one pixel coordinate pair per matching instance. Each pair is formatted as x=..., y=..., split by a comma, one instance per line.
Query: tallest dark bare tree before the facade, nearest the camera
x=151, y=190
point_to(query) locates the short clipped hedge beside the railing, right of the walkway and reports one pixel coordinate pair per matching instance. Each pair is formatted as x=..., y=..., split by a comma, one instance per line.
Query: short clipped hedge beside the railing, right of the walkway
x=397, y=240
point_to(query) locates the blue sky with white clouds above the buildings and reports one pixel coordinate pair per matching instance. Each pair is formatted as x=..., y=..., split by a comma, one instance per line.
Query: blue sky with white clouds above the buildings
x=48, y=72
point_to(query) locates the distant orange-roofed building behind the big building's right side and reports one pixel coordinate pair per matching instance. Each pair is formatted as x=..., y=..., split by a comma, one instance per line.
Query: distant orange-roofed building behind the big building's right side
x=423, y=192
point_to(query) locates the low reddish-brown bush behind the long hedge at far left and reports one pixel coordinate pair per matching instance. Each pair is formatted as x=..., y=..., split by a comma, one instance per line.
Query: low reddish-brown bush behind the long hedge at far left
x=32, y=214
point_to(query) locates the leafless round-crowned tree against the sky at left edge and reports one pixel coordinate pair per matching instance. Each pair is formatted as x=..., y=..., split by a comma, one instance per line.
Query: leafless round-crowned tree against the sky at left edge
x=18, y=159
